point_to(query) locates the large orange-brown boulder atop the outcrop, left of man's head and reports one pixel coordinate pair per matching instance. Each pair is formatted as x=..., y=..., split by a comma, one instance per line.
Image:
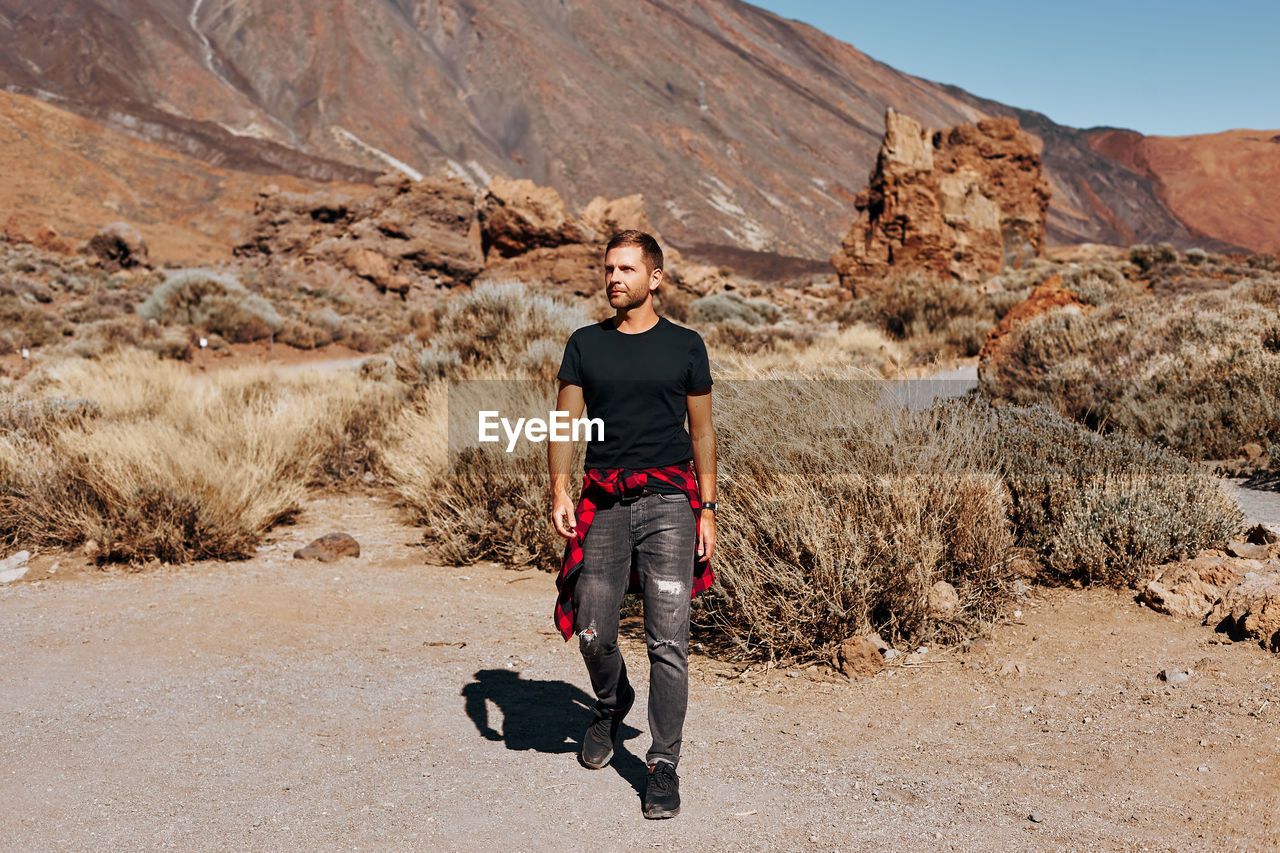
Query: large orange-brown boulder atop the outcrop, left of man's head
x=518, y=217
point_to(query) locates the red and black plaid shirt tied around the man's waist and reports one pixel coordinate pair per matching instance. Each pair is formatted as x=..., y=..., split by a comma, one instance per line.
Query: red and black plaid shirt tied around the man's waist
x=615, y=482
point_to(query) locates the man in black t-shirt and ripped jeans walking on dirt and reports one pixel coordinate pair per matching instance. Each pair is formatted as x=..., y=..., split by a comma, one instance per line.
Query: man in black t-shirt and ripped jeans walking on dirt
x=651, y=514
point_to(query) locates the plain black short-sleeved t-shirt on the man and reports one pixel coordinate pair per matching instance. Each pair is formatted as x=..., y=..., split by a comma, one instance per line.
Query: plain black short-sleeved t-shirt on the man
x=637, y=385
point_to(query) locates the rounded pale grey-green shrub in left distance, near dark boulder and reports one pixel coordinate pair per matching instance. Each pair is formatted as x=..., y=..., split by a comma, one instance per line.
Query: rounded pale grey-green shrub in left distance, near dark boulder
x=214, y=303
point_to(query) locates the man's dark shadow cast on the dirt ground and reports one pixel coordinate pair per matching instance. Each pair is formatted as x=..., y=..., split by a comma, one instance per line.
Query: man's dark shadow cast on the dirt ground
x=543, y=717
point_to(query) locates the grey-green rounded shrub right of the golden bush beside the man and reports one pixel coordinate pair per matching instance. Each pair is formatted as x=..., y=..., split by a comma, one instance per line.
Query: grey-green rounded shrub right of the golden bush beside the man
x=1098, y=508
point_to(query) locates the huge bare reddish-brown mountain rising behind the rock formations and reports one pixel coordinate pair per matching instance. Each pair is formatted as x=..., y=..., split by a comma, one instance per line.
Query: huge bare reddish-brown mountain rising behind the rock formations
x=740, y=129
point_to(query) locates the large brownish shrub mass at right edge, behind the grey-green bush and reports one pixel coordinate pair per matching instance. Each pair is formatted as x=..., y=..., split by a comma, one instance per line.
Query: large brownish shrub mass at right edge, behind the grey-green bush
x=1199, y=375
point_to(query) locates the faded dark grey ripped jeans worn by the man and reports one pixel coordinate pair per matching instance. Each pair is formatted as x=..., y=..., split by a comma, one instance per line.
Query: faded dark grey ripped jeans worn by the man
x=659, y=532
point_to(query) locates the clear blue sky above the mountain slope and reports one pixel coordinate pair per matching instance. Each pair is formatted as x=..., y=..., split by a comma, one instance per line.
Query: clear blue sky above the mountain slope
x=1168, y=69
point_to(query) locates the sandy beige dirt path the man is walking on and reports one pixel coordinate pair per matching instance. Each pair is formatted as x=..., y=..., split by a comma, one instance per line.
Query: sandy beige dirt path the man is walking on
x=385, y=704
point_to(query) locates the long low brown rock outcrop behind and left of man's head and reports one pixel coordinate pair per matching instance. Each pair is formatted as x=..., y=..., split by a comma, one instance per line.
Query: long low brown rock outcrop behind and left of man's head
x=437, y=234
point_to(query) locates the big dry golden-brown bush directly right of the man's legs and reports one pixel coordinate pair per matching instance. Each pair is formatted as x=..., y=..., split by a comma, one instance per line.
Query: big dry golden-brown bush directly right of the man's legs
x=840, y=514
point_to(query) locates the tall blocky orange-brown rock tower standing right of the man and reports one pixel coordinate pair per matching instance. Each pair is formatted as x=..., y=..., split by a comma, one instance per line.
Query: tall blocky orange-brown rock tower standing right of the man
x=962, y=203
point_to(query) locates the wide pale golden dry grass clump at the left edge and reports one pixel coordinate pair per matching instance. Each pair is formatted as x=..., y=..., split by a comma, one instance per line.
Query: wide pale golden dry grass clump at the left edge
x=172, y=467
